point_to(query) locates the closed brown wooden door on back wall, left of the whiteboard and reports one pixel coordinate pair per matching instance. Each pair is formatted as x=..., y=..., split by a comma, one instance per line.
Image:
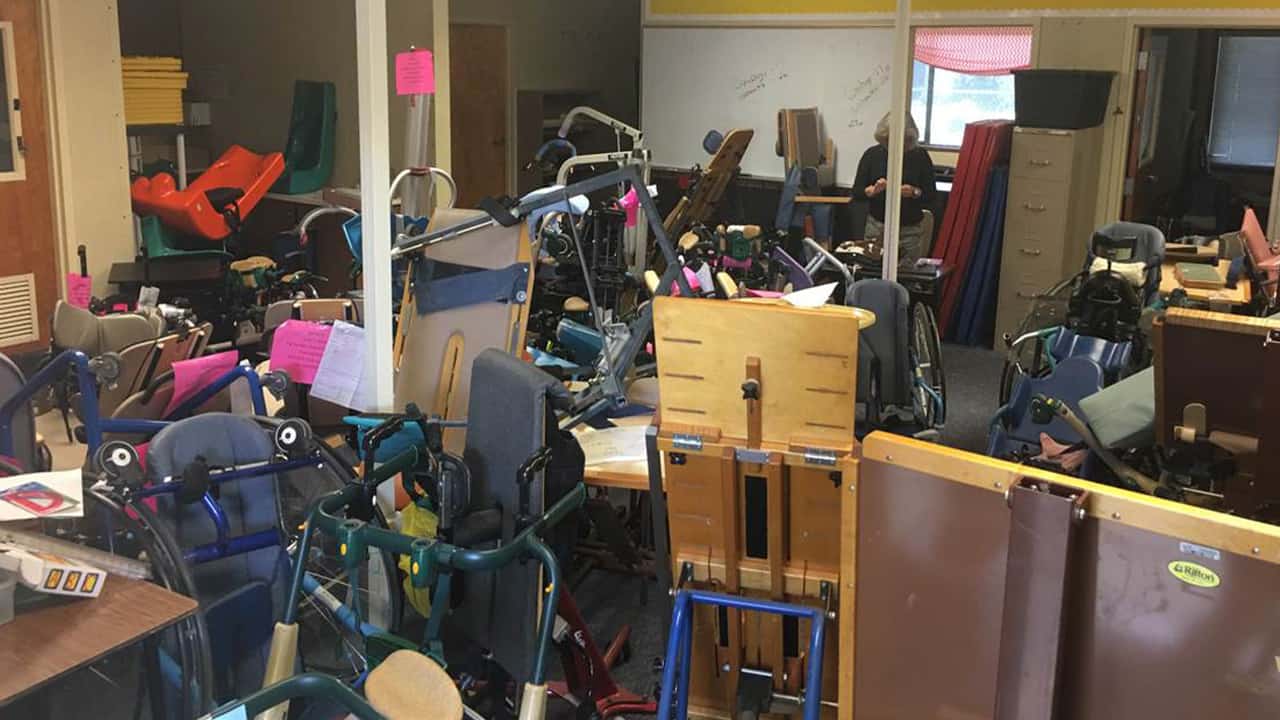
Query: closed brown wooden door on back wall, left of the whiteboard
x=479, y=115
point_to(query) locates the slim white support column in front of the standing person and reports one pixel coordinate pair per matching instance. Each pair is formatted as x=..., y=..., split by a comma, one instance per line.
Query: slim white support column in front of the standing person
x=900, y=83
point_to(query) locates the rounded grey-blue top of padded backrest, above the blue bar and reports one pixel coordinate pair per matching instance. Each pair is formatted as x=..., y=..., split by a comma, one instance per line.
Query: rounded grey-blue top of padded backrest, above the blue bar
x=221, y=439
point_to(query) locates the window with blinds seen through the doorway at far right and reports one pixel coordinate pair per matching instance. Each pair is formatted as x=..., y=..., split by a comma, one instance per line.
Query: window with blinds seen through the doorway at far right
x=1246, y=119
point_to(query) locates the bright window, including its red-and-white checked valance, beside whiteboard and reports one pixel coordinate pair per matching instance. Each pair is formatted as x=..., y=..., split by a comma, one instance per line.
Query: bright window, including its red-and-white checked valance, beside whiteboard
x=963, y=75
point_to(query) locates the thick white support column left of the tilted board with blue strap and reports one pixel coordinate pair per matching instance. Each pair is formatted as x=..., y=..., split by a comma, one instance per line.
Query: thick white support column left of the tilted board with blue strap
x=376, y=206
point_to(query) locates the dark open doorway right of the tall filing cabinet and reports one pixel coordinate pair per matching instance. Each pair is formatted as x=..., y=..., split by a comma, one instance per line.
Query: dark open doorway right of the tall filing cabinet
x=1205, y=130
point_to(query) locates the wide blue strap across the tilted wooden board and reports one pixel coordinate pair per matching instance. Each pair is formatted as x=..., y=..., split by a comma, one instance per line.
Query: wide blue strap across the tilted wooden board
x=444, y=286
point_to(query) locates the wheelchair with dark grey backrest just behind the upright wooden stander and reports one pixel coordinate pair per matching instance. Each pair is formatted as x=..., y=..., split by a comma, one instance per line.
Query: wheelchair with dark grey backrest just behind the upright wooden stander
x=900, y=380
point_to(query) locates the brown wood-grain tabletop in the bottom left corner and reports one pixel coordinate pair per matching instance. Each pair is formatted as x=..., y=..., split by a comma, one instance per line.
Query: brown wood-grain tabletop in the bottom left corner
x=48, y=642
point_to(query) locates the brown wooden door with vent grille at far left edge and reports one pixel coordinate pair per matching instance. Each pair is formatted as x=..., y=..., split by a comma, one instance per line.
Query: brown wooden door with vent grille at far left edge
x=29, y=276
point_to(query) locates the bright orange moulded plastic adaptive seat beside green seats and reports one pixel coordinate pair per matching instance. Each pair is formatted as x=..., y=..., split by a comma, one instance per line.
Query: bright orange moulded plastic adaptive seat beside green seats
x=232, y=186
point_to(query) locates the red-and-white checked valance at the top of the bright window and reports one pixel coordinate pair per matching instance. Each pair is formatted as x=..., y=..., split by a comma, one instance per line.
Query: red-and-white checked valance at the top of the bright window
x=975, y=51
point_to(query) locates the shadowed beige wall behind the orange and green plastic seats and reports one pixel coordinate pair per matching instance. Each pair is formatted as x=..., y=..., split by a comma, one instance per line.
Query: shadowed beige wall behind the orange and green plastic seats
x=245, y=56
